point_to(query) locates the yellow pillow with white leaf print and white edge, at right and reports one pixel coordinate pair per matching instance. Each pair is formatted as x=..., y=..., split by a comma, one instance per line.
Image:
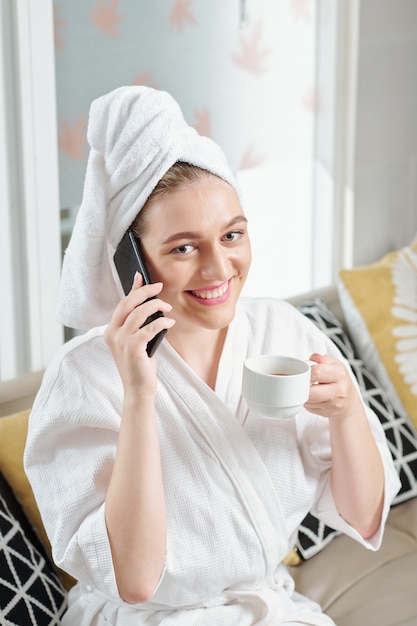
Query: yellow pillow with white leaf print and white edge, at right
x=379, y=302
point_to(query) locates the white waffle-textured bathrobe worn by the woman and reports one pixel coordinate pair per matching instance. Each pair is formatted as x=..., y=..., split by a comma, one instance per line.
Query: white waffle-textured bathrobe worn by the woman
x=236, y=485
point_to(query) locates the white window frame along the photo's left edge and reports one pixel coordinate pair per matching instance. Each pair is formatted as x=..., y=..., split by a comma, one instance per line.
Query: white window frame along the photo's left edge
x=29, y=198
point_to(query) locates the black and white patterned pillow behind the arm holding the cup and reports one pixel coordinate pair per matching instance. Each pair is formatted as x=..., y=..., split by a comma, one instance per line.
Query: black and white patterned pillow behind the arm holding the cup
x=401, y=436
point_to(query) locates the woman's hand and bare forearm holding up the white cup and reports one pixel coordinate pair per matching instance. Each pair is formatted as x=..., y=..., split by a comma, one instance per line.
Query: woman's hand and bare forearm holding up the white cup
x=357, y=475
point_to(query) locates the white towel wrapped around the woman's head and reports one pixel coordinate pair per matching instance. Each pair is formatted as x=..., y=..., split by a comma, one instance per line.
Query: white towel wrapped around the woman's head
x=135, y=134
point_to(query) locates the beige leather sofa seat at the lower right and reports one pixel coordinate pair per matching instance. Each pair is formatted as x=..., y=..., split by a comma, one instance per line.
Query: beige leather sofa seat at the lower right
x=367, y=587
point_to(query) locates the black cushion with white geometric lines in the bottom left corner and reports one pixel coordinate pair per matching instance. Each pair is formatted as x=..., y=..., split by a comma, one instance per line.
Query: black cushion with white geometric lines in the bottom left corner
x=30, y=591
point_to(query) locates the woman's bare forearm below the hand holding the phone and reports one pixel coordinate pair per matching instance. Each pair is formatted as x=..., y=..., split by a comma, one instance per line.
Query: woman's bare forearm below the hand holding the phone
x=135, y=504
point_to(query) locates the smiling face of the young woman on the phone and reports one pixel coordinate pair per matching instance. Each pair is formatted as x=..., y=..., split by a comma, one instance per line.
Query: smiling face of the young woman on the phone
x=196, y=243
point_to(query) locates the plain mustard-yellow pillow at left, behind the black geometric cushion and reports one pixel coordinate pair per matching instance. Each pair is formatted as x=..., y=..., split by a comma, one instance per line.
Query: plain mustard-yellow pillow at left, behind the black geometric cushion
x=13, y=433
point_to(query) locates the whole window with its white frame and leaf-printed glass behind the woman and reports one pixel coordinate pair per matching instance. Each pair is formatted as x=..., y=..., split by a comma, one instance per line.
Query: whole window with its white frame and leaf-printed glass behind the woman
x=258, y=77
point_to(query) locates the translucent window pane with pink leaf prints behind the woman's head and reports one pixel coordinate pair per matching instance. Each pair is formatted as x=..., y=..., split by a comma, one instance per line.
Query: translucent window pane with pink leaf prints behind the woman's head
x=243, y=73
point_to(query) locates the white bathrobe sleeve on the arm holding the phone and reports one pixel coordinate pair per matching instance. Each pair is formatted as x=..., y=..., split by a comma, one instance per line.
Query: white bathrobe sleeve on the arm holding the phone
x=69, y=454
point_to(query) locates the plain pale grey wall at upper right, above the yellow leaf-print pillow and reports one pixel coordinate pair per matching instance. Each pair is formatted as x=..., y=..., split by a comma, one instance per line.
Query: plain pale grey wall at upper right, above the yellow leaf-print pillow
x=385, y=164
